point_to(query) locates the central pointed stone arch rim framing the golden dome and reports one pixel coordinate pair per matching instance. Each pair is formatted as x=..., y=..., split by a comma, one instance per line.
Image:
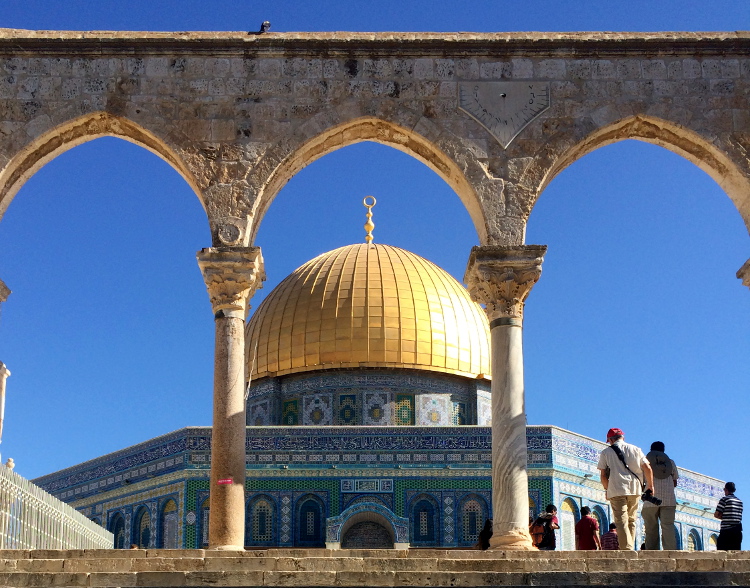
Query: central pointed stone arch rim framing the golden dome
x=281, y=163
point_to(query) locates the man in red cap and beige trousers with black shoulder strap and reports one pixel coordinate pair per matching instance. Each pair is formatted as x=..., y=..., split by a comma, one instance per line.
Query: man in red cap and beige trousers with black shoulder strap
x=623, y=468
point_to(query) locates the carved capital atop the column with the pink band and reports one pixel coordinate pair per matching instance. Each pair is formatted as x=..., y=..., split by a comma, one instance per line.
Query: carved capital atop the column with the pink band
x=232, y=275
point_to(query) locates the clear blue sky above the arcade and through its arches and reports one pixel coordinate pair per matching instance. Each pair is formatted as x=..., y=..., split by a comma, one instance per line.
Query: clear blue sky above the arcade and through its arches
x=638, y=320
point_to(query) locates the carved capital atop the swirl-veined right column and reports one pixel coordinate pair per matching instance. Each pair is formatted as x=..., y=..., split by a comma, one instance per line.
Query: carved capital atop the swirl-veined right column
x=501, y=277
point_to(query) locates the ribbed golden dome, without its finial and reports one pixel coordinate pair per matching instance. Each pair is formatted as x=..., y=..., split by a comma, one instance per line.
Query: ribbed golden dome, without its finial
x=368, y=306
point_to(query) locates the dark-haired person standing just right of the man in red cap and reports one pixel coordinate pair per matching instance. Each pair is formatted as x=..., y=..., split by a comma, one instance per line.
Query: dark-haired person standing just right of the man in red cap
x=654, y=516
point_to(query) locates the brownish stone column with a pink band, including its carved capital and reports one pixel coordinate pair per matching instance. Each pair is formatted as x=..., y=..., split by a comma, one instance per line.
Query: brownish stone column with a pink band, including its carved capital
x=232, y=276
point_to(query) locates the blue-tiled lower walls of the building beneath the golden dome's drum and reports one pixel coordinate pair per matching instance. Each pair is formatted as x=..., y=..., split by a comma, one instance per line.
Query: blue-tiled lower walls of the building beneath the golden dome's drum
x=300, y=479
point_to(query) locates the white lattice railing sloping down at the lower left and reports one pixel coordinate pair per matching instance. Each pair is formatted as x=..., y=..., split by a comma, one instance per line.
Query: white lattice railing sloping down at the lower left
x=30, y=518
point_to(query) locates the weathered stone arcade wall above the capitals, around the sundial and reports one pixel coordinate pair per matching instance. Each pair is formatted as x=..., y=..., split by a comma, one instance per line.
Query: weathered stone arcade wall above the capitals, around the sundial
x=237, y=115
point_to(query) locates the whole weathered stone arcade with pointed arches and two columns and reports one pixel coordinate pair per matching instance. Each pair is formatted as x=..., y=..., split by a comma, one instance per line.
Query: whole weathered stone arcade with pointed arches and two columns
x=497, y=116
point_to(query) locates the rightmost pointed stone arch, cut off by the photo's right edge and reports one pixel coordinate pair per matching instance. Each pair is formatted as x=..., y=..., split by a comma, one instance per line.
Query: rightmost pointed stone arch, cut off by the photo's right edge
x=681, y=140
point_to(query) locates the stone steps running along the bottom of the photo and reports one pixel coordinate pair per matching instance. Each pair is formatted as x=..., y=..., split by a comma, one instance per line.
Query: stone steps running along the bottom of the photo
x=349, y=568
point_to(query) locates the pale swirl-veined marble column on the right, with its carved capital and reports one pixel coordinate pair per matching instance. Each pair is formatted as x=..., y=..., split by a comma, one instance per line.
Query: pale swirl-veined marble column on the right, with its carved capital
x=501, y=278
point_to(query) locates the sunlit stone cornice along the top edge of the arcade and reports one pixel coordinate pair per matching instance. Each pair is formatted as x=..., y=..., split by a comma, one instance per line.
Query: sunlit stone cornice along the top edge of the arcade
x=401, y=42
